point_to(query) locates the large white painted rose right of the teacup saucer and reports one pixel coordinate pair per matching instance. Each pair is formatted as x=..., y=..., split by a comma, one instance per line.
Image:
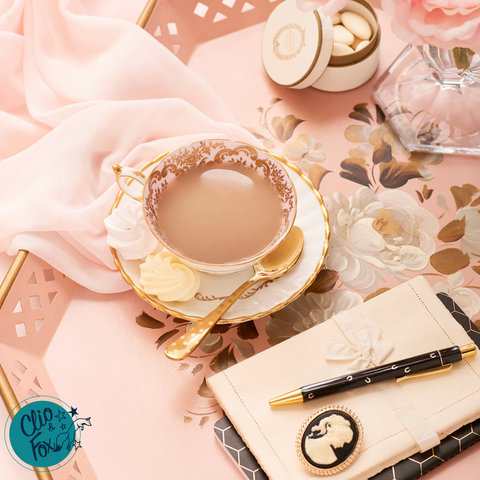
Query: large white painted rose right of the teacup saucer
x=374, y=235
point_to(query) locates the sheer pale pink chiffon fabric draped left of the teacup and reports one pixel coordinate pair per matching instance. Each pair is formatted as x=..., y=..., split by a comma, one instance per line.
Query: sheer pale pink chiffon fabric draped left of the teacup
x=78, y=94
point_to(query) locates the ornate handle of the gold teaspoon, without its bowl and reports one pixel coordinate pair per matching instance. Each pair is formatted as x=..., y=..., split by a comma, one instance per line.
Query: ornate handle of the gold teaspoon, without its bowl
x=188, y=342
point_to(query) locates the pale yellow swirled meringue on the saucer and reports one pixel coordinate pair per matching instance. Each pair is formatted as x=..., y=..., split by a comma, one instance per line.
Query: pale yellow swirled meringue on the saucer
x=166, y=277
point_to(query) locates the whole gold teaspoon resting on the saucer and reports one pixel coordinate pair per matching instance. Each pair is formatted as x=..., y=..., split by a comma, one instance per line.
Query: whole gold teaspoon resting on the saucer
x=274, y=265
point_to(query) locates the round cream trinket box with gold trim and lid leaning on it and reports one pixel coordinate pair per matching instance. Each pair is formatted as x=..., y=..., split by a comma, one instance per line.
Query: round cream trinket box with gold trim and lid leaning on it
x=298, y=49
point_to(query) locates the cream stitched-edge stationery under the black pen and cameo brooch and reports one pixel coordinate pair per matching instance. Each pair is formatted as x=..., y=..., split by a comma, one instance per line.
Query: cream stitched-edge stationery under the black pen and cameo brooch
x=410, y=317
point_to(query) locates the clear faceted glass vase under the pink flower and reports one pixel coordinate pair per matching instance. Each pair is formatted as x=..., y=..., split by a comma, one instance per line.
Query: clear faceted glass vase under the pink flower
x=431, y=96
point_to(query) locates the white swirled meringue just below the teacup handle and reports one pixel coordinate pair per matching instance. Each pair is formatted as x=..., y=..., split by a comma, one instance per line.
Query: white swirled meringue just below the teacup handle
x=128, y=232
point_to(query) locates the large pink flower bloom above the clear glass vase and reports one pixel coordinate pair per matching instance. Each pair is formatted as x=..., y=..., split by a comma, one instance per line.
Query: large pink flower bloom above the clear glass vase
x=442, y=23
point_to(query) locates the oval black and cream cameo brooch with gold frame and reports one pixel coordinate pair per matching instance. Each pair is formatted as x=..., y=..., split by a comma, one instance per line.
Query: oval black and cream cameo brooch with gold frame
x=329, y=440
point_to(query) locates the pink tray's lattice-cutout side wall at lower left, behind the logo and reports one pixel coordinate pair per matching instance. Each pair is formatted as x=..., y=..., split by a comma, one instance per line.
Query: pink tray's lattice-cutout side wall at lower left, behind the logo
x=29, y=318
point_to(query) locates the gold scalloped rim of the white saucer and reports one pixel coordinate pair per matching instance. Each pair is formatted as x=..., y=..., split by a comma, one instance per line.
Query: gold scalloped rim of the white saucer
x=192, y=318
